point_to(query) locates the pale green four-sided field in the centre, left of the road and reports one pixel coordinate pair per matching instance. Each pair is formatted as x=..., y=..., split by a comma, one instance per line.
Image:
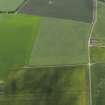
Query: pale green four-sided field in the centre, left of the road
x=61, y=42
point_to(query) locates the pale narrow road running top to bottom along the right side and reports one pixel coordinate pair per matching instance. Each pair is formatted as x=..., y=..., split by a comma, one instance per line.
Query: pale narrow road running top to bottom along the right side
x=89, y=58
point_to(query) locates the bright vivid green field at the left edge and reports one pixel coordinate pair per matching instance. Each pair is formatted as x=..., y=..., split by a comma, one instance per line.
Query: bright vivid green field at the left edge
x=17, y=33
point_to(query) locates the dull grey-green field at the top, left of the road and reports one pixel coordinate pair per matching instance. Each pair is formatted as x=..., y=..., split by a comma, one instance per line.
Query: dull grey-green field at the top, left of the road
x=67, y=9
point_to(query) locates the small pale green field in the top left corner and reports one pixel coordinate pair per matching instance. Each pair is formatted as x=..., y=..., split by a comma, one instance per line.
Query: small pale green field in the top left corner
x=9, y=5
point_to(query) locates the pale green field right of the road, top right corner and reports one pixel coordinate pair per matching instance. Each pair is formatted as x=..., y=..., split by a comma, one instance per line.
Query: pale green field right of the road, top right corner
x=99, y=30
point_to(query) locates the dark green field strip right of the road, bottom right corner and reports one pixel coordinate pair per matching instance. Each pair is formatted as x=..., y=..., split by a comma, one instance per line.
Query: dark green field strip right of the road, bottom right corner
x=98, y=84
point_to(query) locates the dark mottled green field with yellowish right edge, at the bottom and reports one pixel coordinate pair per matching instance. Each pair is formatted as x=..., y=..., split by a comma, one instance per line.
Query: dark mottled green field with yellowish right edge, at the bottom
x=48, y=86
